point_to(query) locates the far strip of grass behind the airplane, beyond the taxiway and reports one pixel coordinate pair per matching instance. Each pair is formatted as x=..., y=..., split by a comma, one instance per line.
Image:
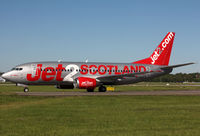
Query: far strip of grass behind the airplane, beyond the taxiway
x=143, y=86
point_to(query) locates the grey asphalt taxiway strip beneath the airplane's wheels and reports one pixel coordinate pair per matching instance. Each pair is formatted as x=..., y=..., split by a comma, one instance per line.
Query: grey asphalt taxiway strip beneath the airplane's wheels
x=117, y=93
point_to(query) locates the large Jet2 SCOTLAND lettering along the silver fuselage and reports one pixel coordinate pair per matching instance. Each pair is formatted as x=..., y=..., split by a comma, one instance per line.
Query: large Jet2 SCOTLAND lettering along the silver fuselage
x=51, y=73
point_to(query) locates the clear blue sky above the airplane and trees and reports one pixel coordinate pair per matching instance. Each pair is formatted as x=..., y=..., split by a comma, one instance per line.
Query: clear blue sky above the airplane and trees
x=97, y=30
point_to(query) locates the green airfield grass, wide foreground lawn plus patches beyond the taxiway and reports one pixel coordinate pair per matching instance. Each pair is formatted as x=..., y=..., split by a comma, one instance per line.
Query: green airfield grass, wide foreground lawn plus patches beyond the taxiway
x=98, y=115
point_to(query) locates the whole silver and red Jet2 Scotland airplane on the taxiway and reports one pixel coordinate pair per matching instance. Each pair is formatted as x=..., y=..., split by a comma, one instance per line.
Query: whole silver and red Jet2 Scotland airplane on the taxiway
x=85, y=75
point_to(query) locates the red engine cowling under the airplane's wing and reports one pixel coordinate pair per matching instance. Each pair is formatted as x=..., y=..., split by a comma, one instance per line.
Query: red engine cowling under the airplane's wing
x=86, y=83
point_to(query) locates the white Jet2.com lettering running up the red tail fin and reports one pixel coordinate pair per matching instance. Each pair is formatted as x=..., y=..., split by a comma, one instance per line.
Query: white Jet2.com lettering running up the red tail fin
x=161, y=47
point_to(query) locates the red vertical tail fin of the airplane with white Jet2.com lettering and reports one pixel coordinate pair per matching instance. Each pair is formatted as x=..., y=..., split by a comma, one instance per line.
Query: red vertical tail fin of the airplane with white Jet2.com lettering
x=162, y=53
